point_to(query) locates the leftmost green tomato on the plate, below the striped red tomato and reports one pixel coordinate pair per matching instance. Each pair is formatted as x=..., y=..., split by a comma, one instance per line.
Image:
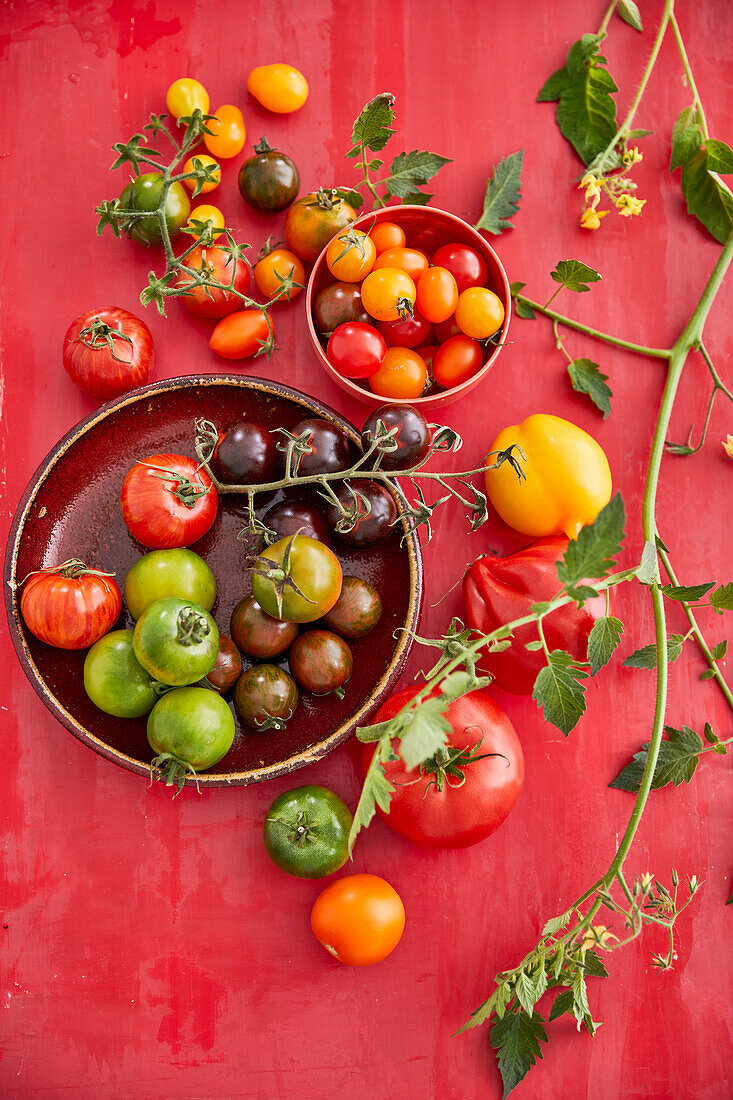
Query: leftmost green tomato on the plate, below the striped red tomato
x=115, y=680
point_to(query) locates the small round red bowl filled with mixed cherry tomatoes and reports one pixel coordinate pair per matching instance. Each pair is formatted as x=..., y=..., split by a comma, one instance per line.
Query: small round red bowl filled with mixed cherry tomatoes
x=426, y=229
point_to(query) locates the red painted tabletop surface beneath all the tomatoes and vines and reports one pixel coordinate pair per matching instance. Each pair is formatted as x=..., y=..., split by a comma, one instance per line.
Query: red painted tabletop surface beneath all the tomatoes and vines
x=148, y=948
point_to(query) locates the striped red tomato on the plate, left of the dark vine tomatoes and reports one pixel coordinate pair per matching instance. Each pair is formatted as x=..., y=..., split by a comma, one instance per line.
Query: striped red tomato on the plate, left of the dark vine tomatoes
x=168, y=502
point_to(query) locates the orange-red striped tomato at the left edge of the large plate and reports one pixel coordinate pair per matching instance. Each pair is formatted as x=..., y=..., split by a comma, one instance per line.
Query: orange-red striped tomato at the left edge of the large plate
x=71, y=607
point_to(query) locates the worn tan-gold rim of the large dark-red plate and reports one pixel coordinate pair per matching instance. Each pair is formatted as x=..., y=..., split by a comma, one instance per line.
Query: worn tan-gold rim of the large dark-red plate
x=34, y=674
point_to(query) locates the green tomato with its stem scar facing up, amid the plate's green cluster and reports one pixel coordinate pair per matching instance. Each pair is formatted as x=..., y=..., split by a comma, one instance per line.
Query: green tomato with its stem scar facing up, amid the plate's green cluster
x=177, y=642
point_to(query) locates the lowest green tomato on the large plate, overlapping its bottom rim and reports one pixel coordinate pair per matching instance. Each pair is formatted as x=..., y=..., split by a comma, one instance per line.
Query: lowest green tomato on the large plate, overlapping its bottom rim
x=191, y=728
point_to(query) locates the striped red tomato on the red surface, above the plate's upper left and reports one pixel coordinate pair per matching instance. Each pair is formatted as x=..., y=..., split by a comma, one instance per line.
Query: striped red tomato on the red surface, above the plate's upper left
x=108, y=353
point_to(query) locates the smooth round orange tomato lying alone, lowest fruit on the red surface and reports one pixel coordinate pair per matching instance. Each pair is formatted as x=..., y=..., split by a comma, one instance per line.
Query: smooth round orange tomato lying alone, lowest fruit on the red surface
x=359, y=919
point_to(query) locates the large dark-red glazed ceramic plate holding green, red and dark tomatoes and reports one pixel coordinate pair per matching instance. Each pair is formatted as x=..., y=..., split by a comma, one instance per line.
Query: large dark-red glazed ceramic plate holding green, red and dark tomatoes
x=72, y=510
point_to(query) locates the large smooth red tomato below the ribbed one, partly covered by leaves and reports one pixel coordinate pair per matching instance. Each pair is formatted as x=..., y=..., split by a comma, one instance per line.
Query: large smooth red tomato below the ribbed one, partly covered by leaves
x=433, y=806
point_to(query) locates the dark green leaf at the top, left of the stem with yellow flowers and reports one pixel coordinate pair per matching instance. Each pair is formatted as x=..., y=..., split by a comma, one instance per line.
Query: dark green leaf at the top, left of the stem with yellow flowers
x=586, y=112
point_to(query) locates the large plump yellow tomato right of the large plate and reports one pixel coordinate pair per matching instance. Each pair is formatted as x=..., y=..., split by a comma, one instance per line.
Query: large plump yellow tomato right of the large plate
x=567, y=478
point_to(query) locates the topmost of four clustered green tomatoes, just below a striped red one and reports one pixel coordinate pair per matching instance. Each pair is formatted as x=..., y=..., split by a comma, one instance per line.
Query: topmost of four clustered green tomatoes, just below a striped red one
x=165, y=574
